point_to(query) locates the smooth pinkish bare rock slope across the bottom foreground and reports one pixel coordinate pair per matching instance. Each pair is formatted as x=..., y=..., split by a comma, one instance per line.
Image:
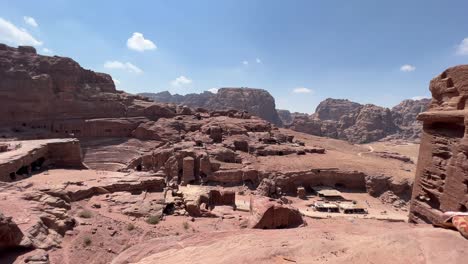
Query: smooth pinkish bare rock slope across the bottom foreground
x=322, y=241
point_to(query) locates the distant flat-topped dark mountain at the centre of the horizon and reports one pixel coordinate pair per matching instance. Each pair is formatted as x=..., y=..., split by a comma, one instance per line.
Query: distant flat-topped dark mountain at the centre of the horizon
x=258, y=102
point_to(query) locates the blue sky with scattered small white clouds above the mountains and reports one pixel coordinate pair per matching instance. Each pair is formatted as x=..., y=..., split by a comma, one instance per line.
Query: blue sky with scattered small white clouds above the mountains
x=302, y=52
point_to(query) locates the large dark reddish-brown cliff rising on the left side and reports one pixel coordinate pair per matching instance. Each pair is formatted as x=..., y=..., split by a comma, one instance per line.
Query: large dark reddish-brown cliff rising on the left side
x=56, y=95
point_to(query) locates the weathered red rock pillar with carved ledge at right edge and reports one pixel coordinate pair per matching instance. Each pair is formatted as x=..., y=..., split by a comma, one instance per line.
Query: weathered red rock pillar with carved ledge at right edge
x=441, y=182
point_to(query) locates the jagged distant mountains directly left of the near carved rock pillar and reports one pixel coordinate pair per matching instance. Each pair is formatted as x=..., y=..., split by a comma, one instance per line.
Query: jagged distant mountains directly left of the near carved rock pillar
x=356, y=123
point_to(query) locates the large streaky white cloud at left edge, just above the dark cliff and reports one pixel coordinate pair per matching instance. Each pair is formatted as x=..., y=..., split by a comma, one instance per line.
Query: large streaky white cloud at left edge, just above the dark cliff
x=13, y=35
